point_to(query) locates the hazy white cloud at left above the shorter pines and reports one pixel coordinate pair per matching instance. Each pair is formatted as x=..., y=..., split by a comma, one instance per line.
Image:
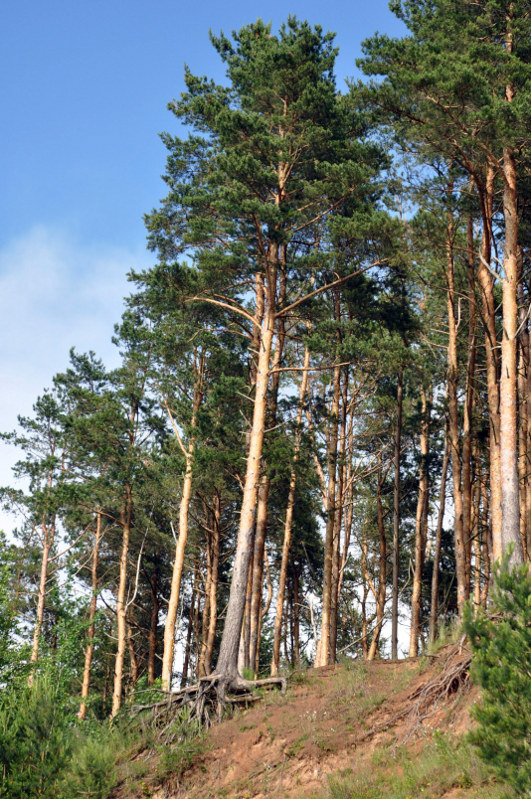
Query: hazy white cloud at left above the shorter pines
x=54, y=294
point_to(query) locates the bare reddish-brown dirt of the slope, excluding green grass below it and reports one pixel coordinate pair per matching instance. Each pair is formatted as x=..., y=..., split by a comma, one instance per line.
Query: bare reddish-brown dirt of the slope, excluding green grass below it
x=331, y=720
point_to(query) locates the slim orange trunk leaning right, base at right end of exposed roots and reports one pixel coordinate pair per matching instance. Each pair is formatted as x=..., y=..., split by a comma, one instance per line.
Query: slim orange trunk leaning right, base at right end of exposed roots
x=288, y=523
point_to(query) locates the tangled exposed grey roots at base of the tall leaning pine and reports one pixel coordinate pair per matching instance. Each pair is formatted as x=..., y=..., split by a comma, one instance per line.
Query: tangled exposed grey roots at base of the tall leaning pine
x=208, y=699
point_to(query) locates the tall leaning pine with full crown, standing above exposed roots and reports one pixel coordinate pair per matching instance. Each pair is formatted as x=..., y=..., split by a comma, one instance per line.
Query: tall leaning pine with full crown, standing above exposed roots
x=271, y=155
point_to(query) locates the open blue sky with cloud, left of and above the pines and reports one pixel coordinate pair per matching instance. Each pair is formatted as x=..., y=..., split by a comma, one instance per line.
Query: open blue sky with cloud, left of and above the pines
x=84, y=88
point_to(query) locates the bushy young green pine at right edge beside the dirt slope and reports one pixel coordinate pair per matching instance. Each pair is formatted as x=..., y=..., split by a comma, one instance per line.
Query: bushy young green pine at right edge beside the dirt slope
x=501, y=643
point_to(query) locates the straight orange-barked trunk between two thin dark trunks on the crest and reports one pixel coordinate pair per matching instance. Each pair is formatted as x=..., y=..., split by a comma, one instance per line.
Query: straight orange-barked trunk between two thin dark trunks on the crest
x=420, y=526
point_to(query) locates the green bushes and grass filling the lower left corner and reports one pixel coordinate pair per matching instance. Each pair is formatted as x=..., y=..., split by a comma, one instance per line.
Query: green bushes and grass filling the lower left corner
x=47, y=752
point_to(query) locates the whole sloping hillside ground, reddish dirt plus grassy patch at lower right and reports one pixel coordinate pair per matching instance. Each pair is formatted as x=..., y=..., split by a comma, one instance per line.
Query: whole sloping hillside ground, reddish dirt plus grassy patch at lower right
x=352, y=731
